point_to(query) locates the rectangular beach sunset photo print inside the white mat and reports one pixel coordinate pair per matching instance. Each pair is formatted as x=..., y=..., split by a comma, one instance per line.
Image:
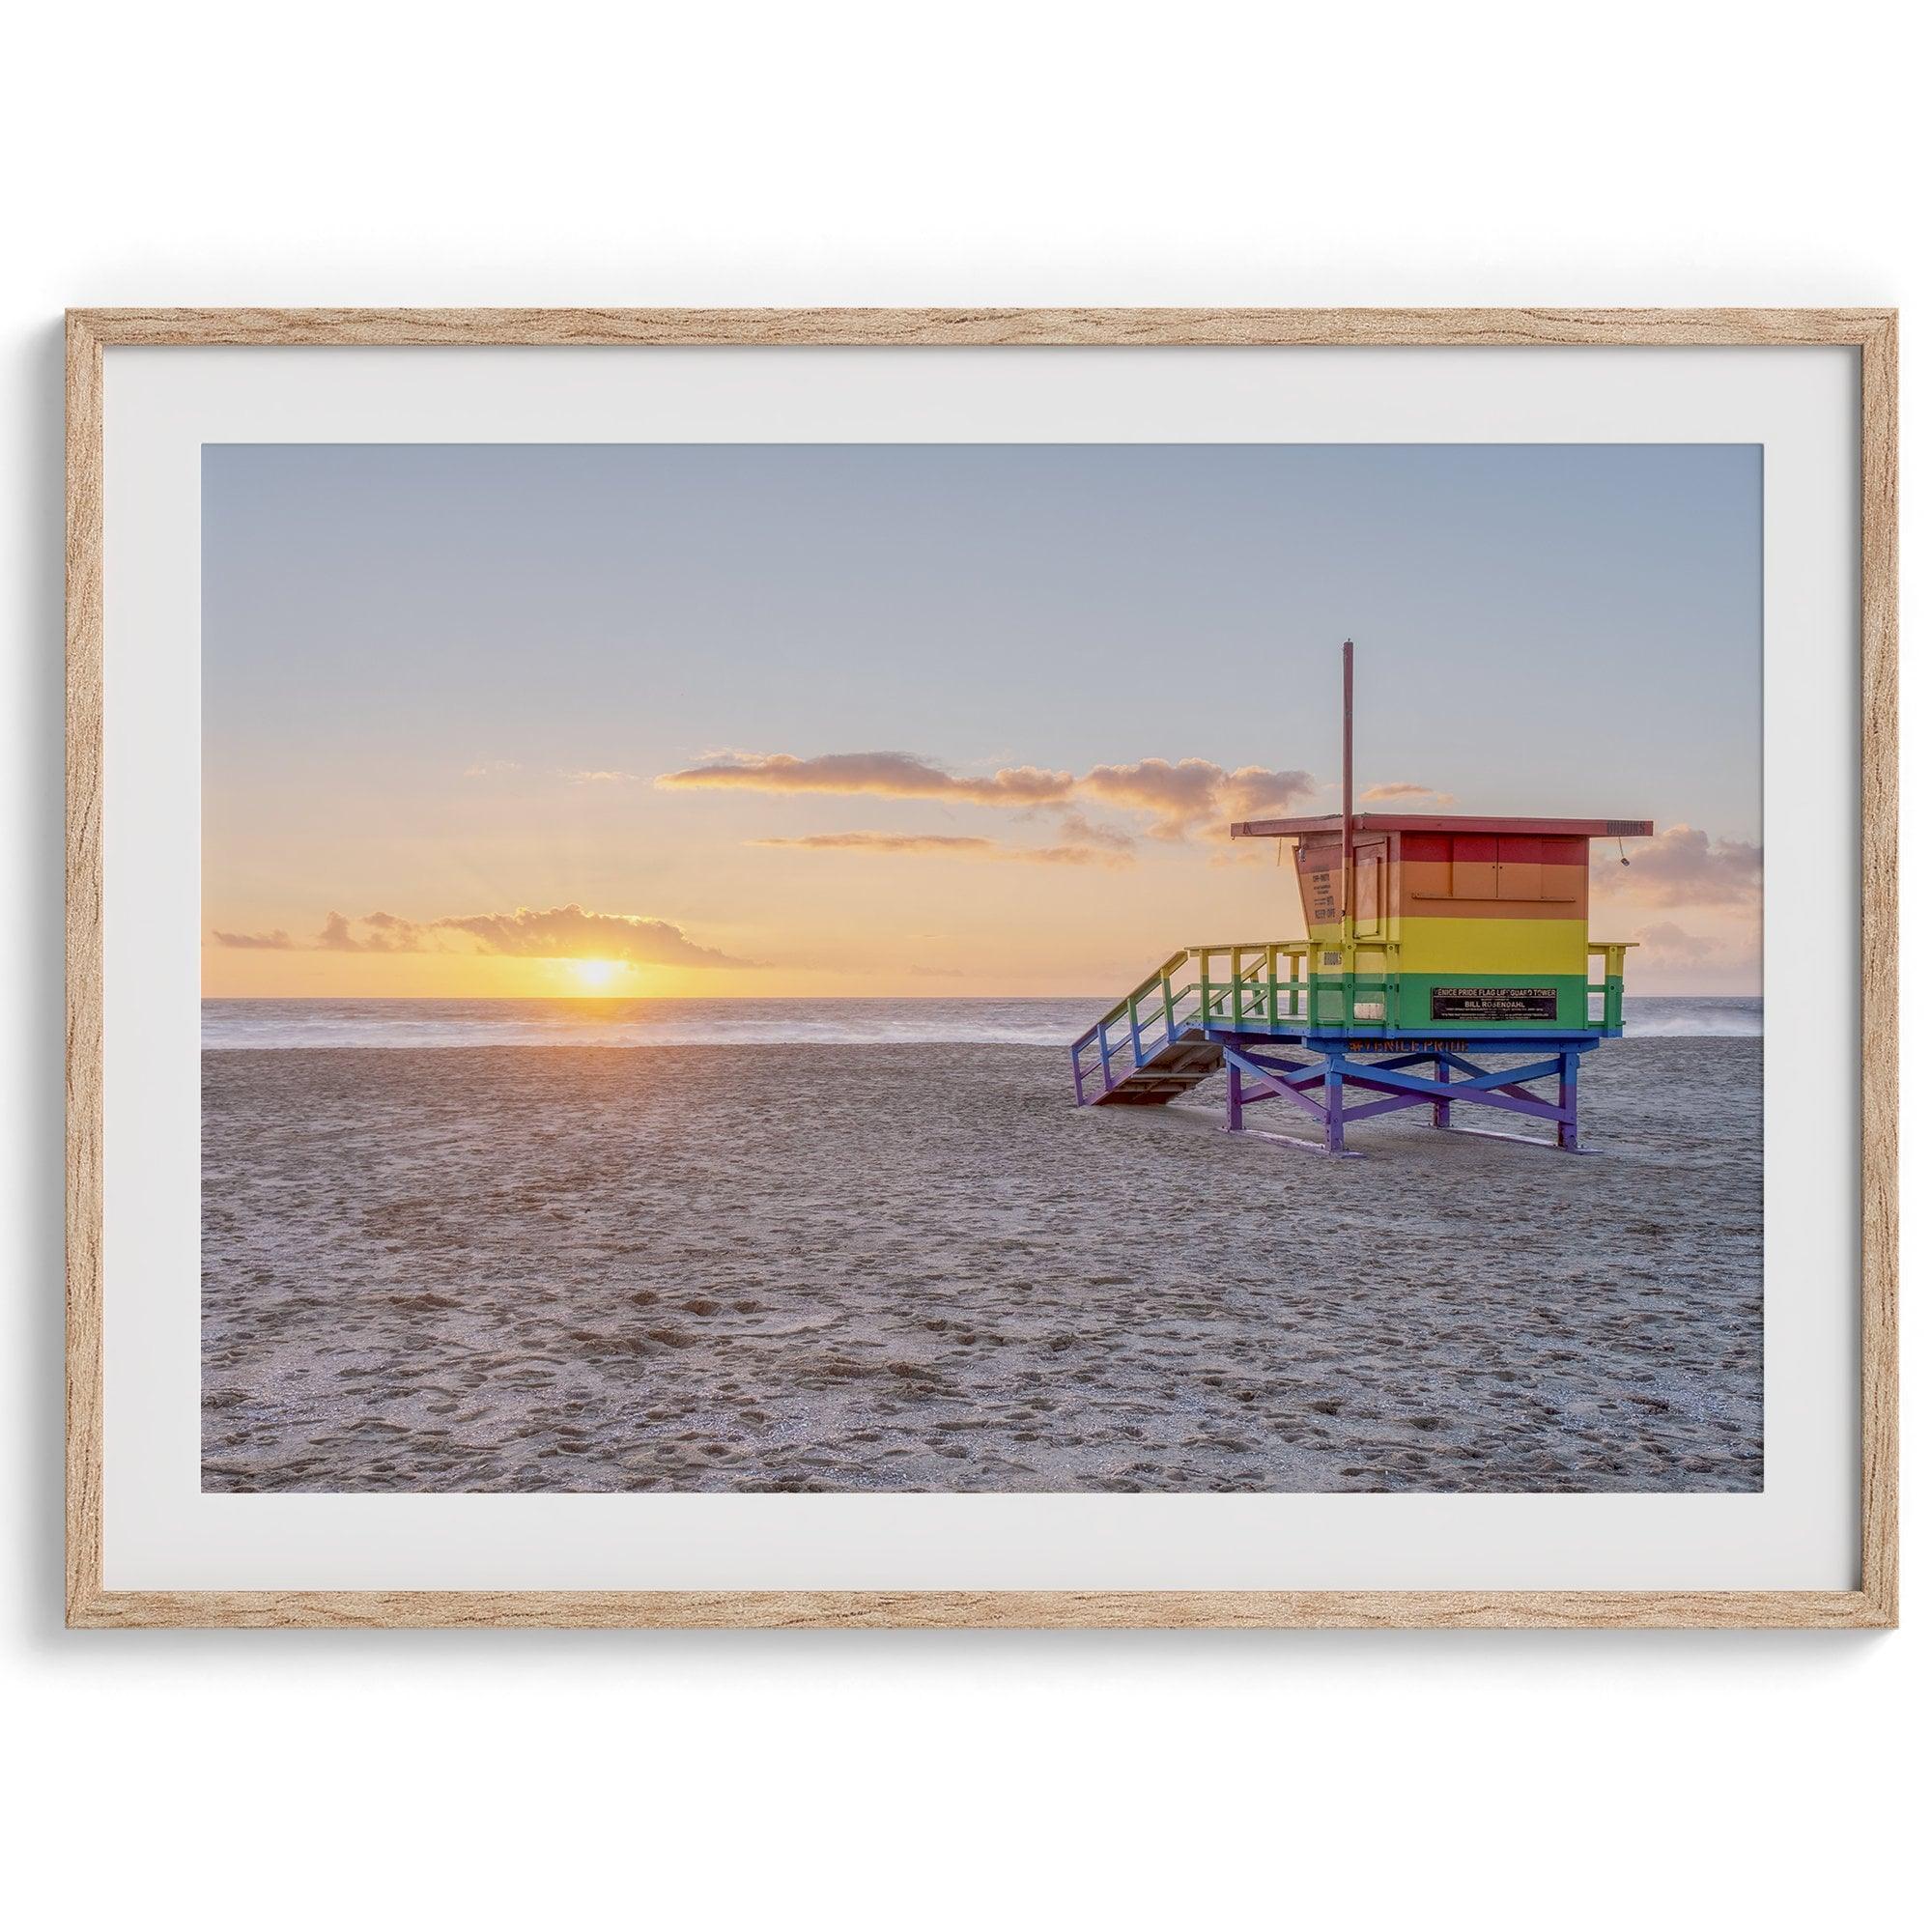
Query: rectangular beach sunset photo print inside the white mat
x=1162, y=969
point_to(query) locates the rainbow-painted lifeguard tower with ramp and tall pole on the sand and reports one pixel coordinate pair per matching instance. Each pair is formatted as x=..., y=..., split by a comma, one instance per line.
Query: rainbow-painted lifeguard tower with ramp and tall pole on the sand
x=1431, y=940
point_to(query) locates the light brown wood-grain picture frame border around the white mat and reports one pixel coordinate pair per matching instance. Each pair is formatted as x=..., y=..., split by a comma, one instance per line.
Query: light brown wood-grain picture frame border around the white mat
x=1873, y=333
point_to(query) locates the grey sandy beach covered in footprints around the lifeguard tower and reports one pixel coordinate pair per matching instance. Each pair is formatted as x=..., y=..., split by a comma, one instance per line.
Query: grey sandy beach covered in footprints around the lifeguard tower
x=923, y=1268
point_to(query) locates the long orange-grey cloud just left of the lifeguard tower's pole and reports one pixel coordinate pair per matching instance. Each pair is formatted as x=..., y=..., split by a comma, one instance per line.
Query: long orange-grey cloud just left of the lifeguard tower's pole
x=1181, y=797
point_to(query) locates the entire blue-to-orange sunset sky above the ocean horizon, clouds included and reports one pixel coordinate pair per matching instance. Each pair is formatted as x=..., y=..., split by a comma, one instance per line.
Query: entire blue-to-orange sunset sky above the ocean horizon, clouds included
x=743, y=722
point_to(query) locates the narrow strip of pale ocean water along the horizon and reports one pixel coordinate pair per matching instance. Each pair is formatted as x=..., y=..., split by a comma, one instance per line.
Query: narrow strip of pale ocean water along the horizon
x=754, y=1023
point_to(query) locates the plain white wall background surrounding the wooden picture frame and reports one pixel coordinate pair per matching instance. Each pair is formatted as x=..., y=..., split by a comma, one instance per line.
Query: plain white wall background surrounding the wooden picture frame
x=1038, y=154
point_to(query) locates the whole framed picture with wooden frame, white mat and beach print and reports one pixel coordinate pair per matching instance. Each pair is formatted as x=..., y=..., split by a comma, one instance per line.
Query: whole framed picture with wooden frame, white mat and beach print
x=982, y=969
